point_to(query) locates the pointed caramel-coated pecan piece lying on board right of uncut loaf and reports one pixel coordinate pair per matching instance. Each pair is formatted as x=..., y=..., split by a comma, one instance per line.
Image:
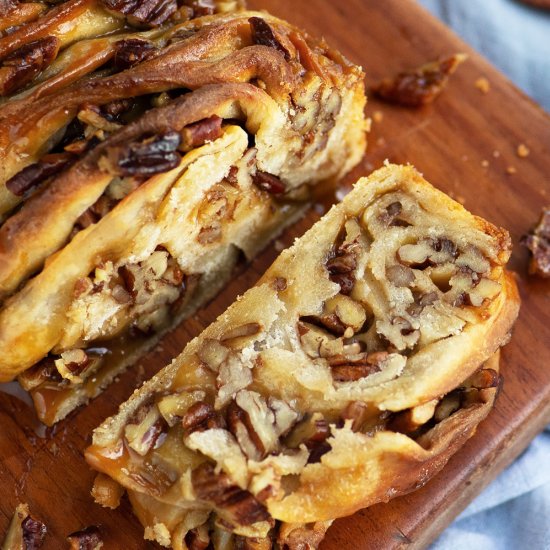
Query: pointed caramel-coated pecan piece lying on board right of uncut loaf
x=419, y=86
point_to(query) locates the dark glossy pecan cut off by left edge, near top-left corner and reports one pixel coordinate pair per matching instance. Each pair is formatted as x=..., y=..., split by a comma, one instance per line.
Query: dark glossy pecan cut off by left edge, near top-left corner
x=21, y=66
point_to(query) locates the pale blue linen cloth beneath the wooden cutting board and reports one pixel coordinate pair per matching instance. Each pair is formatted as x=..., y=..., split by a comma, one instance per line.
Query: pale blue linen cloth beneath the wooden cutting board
x=513, y=513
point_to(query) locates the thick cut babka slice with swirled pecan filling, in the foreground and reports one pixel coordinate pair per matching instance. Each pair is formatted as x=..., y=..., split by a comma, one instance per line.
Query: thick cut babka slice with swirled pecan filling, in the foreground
x=359, y=363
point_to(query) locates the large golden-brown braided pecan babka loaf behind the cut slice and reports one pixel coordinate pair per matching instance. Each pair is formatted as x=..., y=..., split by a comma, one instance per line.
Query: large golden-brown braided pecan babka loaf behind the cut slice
x=128, y=195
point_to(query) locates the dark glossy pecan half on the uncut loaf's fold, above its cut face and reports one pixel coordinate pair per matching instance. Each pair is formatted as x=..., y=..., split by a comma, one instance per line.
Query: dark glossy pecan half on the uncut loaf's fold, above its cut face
x=147, y=158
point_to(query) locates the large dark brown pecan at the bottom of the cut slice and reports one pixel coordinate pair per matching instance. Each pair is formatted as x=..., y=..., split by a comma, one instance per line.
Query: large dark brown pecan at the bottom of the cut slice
x=232, y=501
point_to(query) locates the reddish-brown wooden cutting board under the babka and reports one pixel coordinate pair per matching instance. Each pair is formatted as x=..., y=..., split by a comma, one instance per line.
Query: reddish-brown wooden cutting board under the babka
x=464, y=144
